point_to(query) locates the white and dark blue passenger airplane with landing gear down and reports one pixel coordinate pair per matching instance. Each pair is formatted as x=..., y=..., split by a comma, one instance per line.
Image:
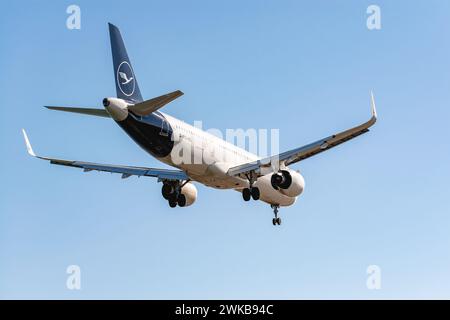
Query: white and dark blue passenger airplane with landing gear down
x=268, y=179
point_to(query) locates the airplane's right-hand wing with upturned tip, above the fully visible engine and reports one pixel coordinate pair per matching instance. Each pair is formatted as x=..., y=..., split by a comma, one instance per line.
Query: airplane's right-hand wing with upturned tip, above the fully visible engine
x=269, y=164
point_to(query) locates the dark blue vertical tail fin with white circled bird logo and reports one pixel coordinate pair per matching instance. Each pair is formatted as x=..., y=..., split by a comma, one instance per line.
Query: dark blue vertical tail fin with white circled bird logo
x=126, y=84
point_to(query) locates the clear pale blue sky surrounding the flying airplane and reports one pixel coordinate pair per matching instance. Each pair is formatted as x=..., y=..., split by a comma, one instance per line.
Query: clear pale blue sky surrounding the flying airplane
x=304, y=67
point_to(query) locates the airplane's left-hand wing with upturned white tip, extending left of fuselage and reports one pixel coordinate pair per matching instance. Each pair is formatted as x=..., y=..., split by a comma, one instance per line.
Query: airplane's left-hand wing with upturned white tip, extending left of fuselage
x=126, y=171
